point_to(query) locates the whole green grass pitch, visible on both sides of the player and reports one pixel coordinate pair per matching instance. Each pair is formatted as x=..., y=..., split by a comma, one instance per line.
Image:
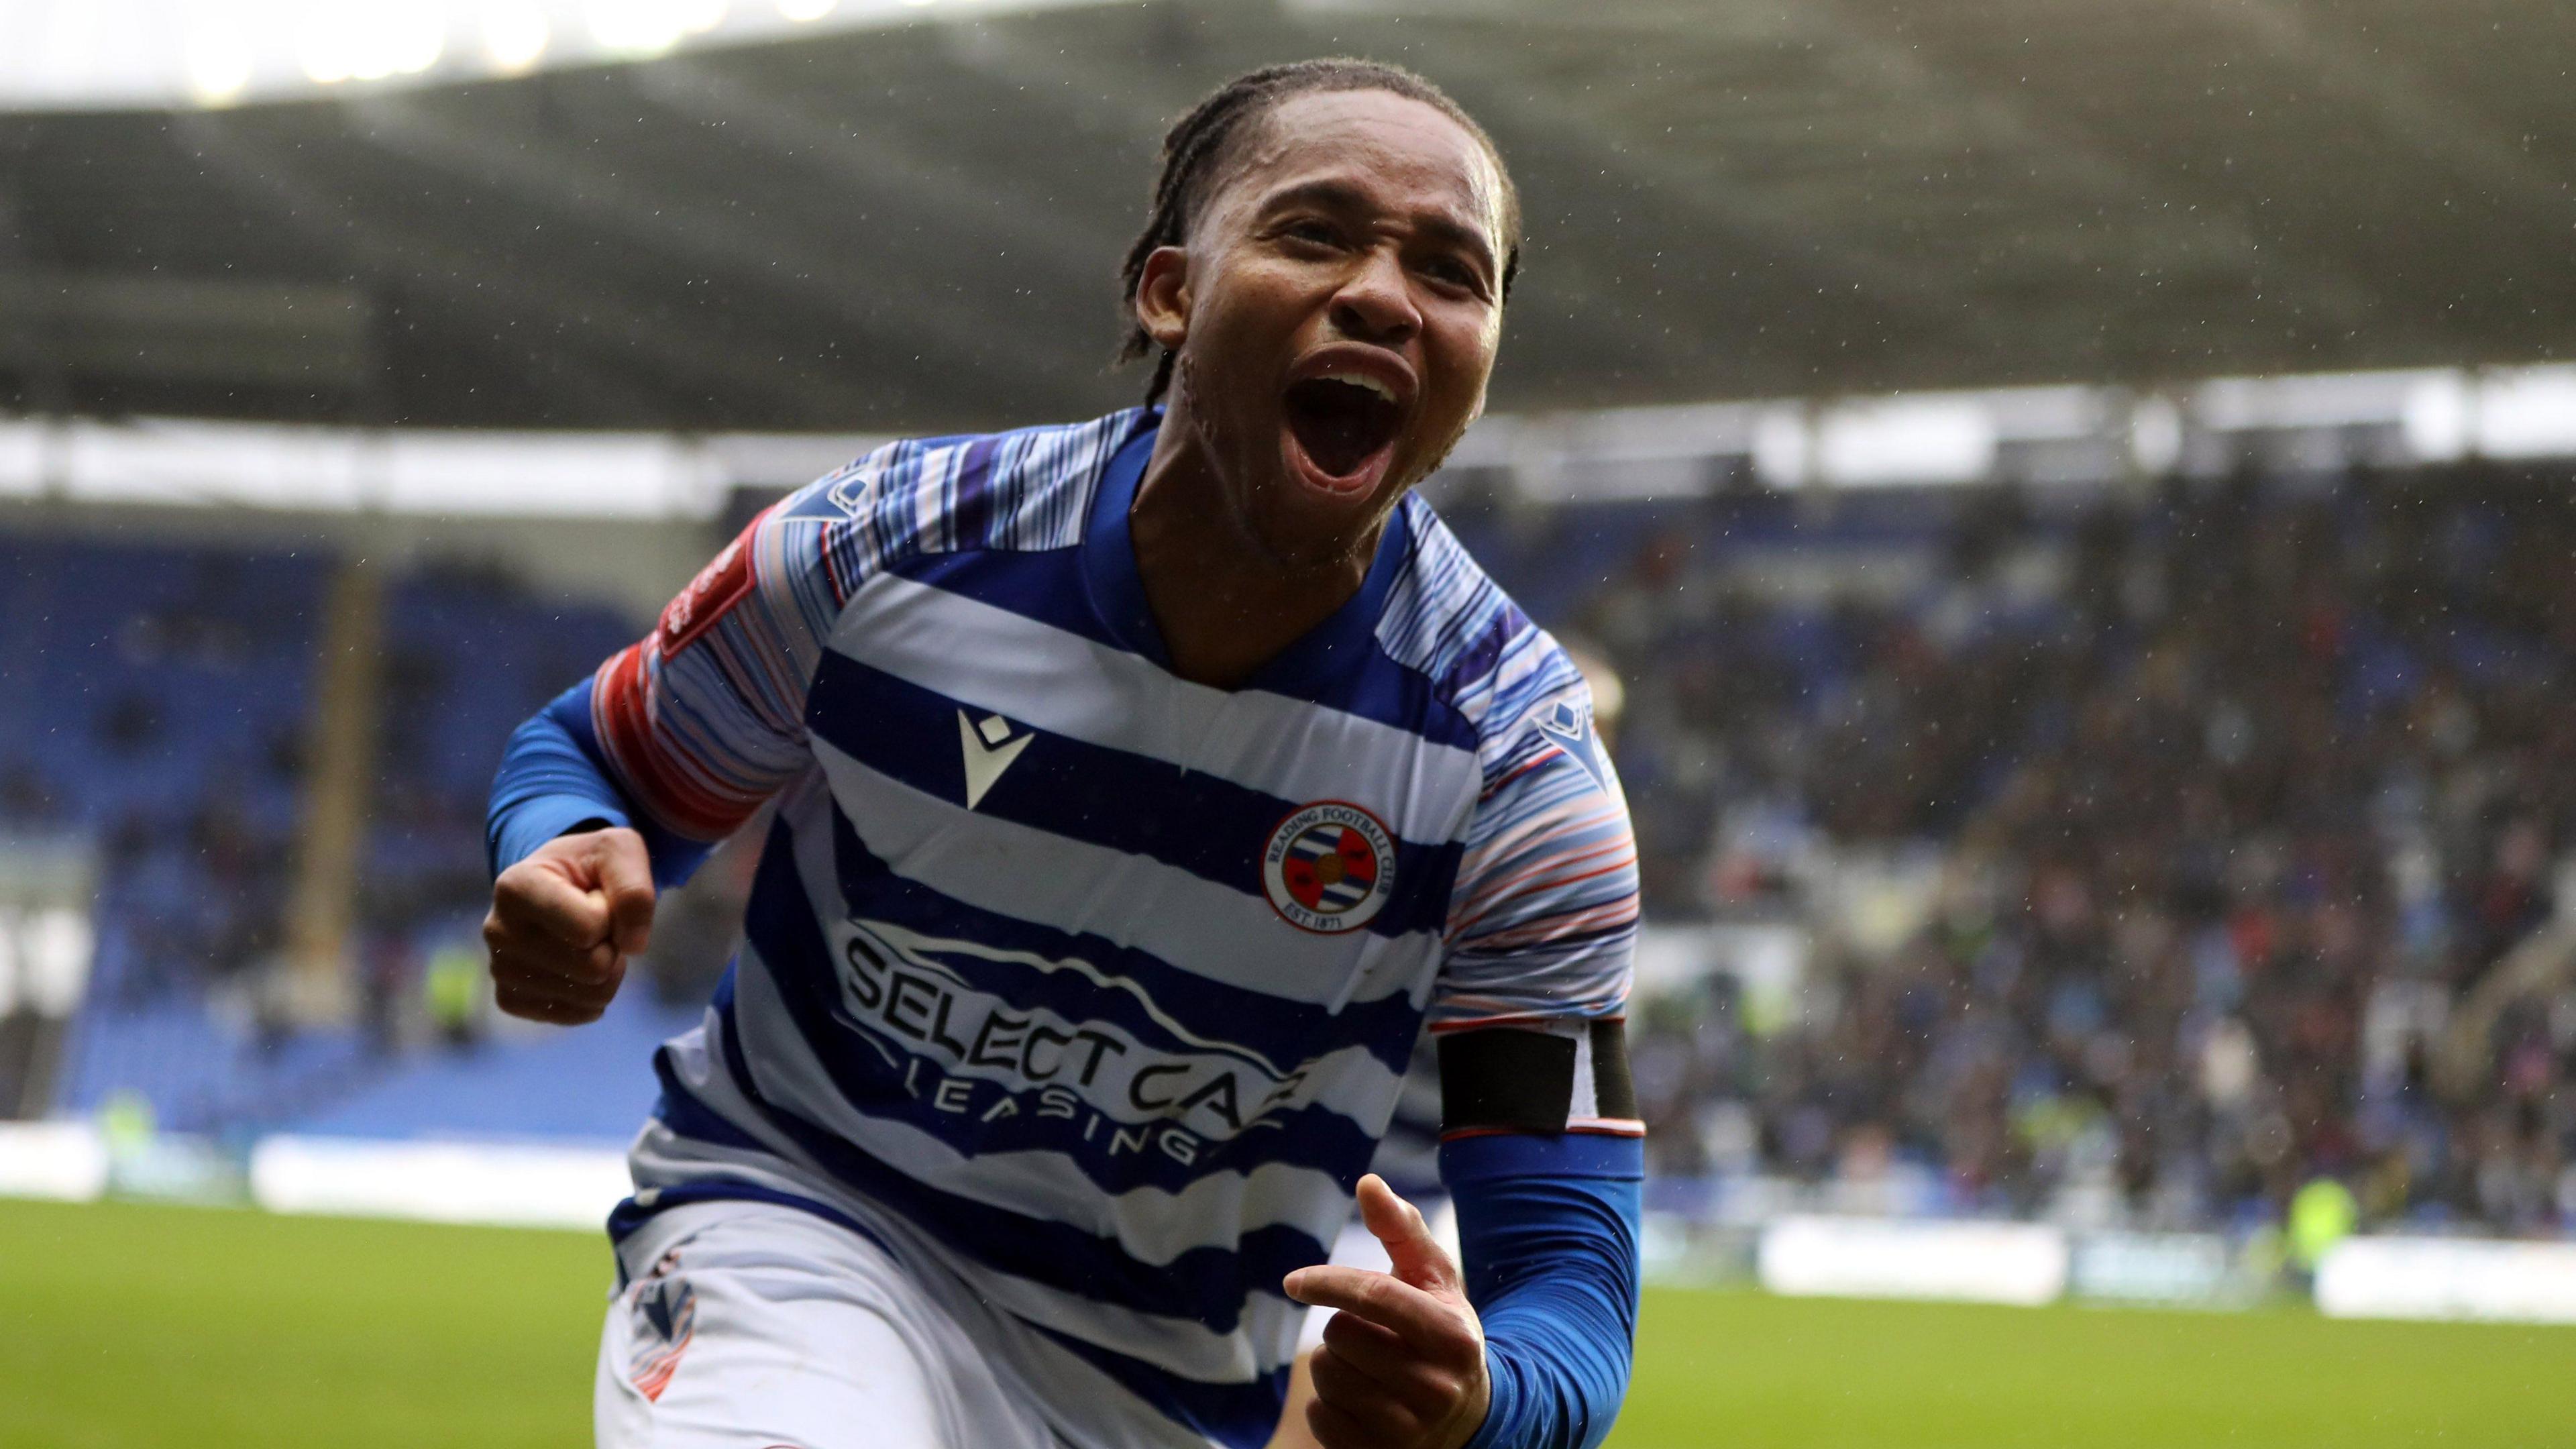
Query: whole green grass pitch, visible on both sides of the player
x=202, y=1329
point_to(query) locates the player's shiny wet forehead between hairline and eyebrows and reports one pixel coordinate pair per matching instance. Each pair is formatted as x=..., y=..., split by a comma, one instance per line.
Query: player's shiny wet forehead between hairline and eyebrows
x=1392, y=148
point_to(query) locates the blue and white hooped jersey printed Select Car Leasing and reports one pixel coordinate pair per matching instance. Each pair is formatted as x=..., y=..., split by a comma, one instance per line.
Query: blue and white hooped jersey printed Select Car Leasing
x=1070, y=978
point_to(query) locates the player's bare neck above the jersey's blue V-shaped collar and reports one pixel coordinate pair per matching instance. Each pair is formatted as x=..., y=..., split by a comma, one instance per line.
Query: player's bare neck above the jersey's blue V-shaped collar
x=1225, y=599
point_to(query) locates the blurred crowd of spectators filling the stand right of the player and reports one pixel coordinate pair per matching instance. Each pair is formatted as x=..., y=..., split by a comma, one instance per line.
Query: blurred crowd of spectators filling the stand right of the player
x=2214, y=801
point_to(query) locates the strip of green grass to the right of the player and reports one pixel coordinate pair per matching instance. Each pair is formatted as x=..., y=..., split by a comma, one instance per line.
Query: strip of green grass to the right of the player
x=1753, y=1370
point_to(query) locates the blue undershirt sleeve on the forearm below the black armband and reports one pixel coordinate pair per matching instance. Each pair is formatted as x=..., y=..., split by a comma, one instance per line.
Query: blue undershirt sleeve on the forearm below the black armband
x=1549, y=1231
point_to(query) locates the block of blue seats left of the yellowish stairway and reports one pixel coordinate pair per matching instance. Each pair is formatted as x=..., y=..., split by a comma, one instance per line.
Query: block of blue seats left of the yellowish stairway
x=156, y=708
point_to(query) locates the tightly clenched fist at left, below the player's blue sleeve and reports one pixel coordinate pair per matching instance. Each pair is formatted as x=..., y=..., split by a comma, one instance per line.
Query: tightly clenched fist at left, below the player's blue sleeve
x=565, y=922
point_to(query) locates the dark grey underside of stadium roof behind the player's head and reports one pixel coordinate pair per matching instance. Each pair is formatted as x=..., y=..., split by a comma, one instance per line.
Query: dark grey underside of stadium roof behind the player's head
x=918, y=223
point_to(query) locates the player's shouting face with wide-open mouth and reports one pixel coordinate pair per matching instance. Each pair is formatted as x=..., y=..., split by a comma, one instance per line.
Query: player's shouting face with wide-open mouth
x=1343, y=303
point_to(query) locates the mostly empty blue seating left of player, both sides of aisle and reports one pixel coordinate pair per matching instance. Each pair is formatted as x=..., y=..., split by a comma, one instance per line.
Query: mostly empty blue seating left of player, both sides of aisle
x=158, y=705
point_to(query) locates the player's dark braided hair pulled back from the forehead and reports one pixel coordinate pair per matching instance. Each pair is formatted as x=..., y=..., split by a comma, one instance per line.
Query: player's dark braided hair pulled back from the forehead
x=1199, y=143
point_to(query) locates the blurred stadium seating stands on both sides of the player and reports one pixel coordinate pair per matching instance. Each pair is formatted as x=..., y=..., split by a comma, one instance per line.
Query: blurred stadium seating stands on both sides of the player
x=2168, y=811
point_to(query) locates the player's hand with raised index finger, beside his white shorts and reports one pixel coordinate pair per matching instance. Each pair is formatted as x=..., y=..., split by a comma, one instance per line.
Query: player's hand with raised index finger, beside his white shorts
x=1403, y=1363
